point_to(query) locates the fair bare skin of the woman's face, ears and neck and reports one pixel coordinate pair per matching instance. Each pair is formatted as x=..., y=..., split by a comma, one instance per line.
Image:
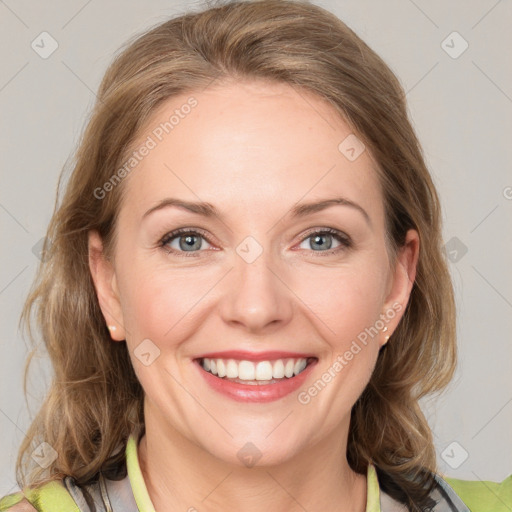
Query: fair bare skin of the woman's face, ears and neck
x=253, y=150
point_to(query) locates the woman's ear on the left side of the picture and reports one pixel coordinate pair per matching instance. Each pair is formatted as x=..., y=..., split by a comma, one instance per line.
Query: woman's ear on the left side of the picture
x=104, y=278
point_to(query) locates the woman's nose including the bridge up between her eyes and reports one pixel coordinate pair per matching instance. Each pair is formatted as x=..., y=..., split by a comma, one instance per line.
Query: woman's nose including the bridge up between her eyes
x=256, y=295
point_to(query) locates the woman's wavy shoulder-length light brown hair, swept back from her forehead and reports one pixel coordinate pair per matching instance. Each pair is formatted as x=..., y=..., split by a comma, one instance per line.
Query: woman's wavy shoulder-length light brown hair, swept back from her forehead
x=95, y=400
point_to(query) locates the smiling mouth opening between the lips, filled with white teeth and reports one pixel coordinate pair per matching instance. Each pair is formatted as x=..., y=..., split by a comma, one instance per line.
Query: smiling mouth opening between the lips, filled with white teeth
x=256, y=373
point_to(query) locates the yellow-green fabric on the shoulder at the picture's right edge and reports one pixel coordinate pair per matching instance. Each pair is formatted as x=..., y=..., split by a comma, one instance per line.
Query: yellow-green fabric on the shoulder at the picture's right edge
x=482, y=495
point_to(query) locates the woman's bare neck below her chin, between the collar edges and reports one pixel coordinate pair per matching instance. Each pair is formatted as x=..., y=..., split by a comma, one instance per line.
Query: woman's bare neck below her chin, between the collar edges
x=180, y=475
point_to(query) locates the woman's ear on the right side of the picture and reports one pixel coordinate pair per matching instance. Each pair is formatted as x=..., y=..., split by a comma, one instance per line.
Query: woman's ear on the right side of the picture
x=401, y=281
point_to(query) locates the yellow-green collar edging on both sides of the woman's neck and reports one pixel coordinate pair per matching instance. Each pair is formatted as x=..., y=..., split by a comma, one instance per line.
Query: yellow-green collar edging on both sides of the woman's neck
x=144, y=503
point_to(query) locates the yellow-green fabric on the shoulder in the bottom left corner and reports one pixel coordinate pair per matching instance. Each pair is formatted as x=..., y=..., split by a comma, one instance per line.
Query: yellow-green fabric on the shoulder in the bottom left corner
x=52, y=496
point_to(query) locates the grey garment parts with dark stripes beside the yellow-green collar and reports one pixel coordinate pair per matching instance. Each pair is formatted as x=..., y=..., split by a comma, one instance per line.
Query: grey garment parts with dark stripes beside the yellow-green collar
x=107, y=495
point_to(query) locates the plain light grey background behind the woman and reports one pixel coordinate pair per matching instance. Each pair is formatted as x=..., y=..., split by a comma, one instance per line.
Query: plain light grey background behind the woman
x=461, y=108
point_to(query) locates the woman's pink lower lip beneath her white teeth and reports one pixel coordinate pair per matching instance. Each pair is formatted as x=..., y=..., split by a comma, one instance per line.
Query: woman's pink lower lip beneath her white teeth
x=256, y=393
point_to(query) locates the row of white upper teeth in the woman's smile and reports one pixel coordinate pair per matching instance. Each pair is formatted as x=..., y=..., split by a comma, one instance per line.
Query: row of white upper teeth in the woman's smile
x=250, y=371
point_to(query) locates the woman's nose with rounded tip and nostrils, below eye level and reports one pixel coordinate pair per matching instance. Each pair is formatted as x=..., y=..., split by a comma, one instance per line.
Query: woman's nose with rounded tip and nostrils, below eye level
x=256, y=297
